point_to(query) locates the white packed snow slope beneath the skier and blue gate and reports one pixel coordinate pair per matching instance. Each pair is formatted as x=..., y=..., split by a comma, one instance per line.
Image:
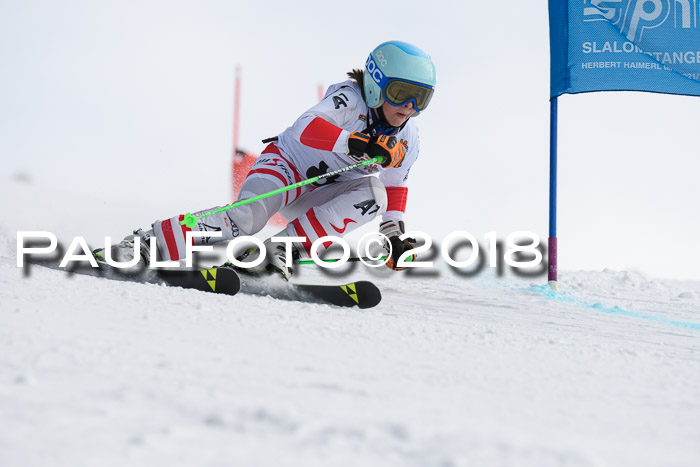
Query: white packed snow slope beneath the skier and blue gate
x=448, y=370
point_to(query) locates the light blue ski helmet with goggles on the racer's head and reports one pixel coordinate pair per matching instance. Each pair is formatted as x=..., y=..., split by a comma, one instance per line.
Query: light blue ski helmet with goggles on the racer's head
x=397, y=72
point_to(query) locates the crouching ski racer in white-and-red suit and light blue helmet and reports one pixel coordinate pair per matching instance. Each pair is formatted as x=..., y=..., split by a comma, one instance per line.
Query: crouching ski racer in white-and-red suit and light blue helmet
x=369, y=115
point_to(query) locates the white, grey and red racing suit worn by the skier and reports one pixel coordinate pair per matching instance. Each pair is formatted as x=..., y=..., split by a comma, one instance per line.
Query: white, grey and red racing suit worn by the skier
x=315, y=144
